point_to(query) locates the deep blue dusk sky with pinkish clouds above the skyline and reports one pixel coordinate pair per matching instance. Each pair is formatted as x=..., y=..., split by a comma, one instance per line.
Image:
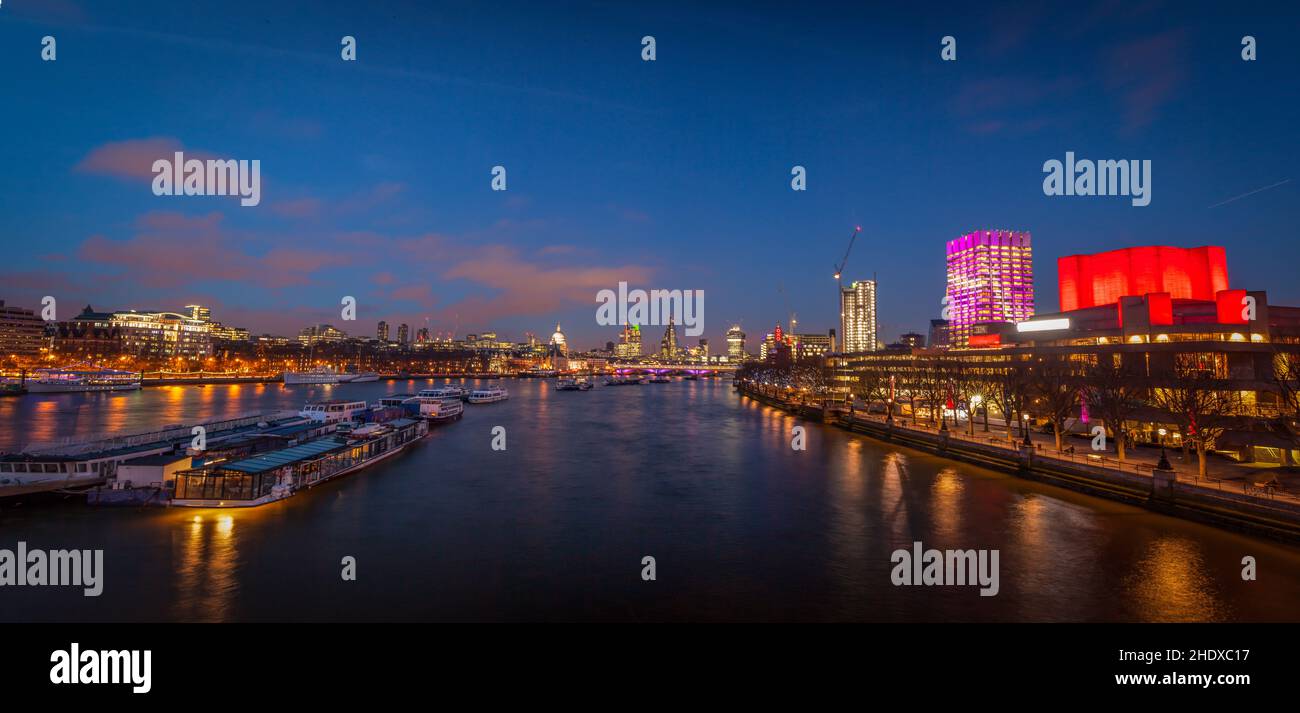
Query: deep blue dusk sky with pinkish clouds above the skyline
x=675, y=174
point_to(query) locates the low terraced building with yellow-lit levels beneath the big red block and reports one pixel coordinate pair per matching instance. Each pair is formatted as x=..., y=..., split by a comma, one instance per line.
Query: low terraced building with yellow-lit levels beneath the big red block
x=1197, y=375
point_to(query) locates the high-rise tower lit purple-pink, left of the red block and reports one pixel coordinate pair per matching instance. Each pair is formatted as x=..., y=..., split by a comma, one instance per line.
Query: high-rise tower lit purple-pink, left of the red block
x=990, y=280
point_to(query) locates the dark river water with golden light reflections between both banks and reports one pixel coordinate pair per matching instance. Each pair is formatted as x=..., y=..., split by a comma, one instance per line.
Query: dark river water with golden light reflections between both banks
x=556, y=528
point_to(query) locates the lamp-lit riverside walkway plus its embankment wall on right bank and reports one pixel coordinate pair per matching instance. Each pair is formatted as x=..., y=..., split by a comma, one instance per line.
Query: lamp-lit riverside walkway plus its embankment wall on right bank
x=1228, y=498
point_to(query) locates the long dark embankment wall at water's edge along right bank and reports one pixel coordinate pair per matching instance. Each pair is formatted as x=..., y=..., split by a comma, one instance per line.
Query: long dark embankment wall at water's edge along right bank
x=1272, y=516
